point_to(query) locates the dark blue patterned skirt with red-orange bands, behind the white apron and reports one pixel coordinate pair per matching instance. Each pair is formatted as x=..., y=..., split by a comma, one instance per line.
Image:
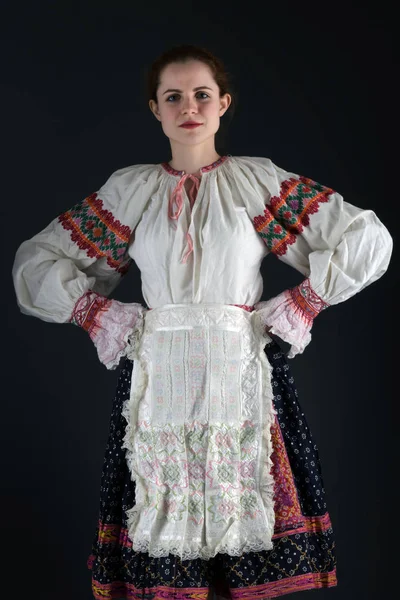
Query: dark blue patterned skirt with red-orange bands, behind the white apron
x=303, y=556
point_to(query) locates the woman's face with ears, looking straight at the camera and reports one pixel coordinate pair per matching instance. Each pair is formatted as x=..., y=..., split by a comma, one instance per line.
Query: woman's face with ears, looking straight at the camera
x=197, y=100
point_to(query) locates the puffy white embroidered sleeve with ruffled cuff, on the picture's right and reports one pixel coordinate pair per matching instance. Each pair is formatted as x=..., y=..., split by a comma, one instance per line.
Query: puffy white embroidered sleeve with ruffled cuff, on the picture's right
x=339, y=248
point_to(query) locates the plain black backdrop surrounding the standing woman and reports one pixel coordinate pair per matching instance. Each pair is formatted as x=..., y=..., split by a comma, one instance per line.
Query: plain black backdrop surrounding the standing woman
x=317, y=95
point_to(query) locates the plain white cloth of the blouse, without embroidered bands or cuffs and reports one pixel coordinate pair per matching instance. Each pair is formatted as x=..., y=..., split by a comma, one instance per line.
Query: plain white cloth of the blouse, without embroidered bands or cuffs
x=343, y=249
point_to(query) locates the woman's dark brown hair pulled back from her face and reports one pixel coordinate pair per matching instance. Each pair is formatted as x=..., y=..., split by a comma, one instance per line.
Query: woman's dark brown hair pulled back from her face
x=222, y=77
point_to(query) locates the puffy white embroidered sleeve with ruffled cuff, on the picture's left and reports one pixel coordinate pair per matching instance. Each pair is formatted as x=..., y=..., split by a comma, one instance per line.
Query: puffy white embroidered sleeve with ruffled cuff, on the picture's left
x=65, y=273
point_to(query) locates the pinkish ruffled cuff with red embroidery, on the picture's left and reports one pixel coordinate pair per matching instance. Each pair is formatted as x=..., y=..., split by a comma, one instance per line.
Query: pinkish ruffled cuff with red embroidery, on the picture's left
x=114, y=327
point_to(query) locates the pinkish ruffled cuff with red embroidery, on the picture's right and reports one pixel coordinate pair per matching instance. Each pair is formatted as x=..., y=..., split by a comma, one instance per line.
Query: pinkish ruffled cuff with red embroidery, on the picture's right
x=291, y=314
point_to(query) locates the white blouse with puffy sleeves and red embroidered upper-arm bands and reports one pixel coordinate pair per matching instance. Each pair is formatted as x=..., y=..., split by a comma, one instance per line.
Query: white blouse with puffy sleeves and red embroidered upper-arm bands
x=205, y=244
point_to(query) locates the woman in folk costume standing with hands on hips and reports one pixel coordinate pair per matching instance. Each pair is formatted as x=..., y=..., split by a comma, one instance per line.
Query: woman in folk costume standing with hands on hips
x=211, y=480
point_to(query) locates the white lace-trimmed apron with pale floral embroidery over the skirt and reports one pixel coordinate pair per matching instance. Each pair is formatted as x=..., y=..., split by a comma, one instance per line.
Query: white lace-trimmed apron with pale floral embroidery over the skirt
x=198, y=441
